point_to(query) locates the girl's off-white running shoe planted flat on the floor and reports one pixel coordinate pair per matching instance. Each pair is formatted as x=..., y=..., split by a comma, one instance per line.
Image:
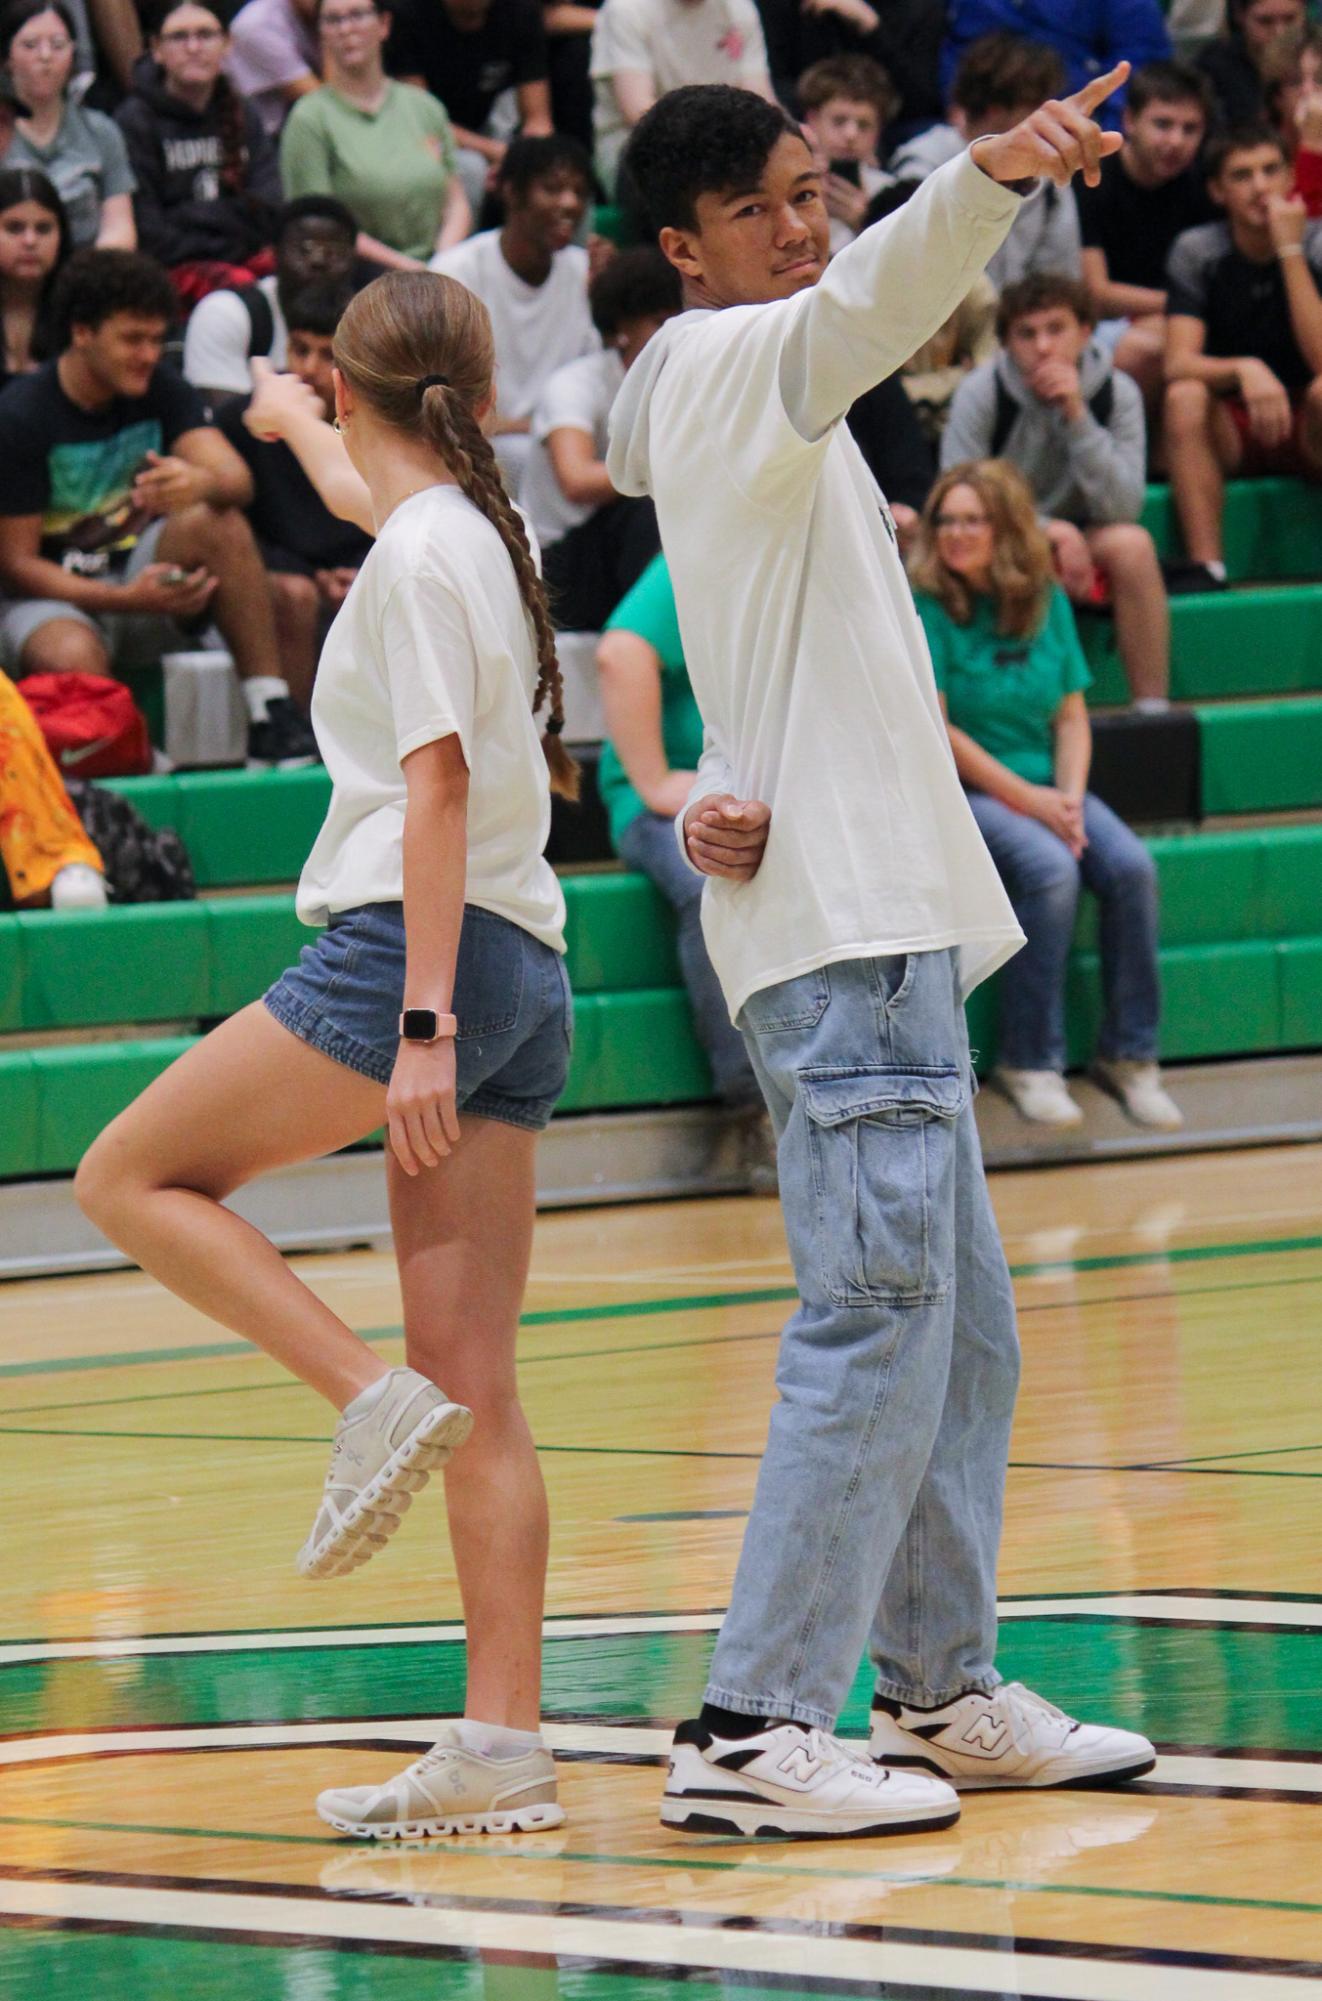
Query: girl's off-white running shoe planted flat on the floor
x=451, y=1792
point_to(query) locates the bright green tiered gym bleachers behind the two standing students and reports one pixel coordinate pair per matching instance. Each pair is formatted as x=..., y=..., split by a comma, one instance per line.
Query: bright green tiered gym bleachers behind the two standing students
x=93, y=1006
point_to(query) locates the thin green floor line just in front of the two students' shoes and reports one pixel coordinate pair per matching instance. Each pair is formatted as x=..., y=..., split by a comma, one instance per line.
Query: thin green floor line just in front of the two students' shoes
x=703, y=1862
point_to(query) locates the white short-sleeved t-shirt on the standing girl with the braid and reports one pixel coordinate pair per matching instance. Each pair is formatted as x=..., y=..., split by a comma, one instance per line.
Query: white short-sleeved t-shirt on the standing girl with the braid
x=433, y=641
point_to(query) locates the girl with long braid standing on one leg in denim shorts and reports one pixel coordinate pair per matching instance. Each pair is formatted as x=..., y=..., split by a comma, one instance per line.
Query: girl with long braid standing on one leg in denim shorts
x=433, y=1002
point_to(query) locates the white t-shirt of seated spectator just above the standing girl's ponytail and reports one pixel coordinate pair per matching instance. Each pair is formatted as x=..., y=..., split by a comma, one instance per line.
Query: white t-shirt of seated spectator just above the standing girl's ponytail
x=537, y=327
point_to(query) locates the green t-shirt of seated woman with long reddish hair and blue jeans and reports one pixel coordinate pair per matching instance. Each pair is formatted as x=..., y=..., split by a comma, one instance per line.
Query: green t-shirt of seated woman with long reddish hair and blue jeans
x=1005, y=691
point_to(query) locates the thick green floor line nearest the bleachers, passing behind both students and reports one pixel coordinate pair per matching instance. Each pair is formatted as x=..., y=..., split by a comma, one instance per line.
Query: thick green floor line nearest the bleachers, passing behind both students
x=679, y=1304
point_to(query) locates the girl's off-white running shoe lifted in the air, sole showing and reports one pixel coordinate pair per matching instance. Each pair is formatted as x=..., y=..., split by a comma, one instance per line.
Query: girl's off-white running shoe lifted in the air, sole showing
x=379, y=1462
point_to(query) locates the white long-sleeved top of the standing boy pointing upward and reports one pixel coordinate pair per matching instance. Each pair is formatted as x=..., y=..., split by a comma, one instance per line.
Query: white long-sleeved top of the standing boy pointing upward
x=801, y=635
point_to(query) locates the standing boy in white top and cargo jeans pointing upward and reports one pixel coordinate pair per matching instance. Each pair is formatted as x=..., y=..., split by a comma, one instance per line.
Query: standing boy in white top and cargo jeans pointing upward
x=851, y=907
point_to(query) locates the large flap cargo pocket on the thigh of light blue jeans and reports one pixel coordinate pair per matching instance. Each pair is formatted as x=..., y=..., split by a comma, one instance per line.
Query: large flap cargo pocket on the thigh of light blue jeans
x=883, y=1166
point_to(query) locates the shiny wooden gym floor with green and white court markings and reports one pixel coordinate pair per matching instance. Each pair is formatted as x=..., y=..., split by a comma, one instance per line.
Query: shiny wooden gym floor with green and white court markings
x=173, y=1696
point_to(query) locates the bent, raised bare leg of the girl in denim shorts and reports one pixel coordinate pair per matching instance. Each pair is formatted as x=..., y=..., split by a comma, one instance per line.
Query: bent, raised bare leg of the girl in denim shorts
x=245, y=1100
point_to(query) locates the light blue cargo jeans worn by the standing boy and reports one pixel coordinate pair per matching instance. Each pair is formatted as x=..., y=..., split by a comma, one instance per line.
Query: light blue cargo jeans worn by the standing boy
x=879, y=1506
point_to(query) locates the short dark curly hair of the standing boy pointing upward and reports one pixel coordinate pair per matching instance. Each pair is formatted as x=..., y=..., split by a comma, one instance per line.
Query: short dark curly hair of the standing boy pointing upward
x=703, y=139
